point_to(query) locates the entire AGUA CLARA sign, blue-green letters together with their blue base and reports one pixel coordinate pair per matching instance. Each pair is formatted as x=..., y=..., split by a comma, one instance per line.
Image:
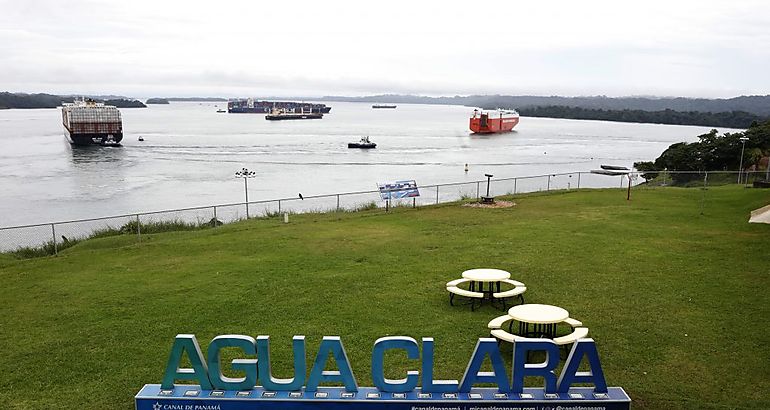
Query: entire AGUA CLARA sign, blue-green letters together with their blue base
x=210, y=388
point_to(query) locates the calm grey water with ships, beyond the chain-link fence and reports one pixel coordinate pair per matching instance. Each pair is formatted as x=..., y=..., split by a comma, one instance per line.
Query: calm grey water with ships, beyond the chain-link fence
x=190, y=153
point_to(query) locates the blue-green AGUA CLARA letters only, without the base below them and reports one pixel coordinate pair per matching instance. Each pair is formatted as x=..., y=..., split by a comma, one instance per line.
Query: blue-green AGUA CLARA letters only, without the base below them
x=207, y=370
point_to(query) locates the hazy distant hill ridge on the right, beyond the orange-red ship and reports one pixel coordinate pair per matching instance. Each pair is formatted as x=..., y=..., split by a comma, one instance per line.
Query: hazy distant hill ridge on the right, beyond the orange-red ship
x=754, y=104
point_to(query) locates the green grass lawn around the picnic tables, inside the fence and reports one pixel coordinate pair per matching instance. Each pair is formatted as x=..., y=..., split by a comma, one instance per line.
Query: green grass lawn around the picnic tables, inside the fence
x=676, y=301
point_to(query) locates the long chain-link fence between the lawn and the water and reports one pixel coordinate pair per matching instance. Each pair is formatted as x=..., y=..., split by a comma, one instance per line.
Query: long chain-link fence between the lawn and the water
x=50, y=238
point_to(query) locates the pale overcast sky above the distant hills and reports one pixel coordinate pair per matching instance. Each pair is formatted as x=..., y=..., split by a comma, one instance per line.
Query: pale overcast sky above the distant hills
x=327, y=47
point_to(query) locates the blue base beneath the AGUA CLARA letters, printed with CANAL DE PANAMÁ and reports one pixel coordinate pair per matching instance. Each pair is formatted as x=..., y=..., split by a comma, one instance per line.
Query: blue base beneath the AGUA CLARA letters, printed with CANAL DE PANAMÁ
x=191, y=397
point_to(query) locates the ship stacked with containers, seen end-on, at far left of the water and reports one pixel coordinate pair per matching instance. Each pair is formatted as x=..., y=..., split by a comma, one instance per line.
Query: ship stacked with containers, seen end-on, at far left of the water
x=90, y=123
